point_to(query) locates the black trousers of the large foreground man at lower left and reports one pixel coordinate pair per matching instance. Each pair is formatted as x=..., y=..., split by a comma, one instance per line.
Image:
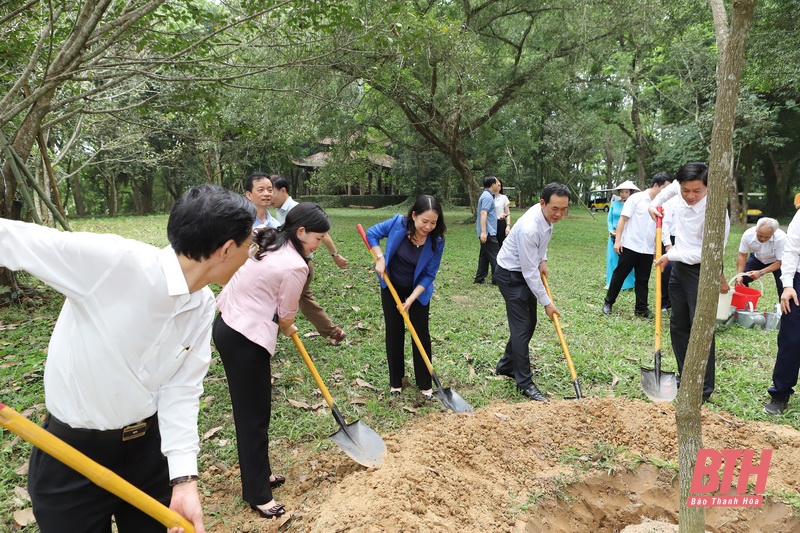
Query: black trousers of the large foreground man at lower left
x=65, y=501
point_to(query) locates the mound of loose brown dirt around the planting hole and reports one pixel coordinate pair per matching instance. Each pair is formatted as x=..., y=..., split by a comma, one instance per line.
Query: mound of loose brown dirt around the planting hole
x=587, y=465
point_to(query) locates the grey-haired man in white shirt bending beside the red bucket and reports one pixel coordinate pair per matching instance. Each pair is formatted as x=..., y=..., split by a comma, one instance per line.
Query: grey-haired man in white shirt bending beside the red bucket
x=765, y=243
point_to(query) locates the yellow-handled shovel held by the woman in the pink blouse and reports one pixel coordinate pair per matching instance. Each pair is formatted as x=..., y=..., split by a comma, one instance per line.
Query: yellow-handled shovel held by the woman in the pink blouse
x=356, y=439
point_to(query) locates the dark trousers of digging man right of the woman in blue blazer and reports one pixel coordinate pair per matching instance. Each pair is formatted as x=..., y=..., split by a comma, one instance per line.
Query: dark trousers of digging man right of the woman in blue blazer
x=521, y=312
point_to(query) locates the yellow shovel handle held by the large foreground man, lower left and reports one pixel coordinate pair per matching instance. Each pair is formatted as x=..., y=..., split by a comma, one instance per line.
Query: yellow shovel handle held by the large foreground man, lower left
x=96, y=473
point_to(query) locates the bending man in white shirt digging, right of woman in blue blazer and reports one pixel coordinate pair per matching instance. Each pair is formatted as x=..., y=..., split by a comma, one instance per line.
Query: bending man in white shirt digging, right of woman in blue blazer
x=520, y=264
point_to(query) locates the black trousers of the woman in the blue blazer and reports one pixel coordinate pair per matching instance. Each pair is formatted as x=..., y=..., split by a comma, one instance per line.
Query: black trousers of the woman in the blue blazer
x=396, y=336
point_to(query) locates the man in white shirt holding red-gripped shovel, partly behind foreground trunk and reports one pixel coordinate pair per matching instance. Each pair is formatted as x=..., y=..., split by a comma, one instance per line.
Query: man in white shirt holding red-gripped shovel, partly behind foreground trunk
x=691, y=182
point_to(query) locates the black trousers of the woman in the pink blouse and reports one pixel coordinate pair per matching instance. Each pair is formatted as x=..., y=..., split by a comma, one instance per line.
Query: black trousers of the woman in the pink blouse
x=247, y=366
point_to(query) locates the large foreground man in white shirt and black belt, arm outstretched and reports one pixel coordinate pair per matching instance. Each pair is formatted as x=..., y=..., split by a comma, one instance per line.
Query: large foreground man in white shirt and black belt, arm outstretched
x=127, y=356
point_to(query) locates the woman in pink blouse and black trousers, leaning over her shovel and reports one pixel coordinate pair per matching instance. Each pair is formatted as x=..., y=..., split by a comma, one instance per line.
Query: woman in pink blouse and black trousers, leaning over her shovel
x=262, y=298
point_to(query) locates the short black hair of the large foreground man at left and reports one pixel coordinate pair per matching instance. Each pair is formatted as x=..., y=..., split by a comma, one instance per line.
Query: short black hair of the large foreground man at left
x=206, y=217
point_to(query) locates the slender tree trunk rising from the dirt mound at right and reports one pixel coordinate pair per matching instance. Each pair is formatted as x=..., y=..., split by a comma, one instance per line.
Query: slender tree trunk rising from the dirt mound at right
x=731, y=44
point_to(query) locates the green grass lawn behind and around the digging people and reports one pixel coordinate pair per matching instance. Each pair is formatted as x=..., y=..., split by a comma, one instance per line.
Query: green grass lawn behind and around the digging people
x=468, y=327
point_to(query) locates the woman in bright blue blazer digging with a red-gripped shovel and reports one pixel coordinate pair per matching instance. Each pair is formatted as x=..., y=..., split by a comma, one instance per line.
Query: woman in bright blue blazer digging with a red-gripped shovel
x=414, y=246
